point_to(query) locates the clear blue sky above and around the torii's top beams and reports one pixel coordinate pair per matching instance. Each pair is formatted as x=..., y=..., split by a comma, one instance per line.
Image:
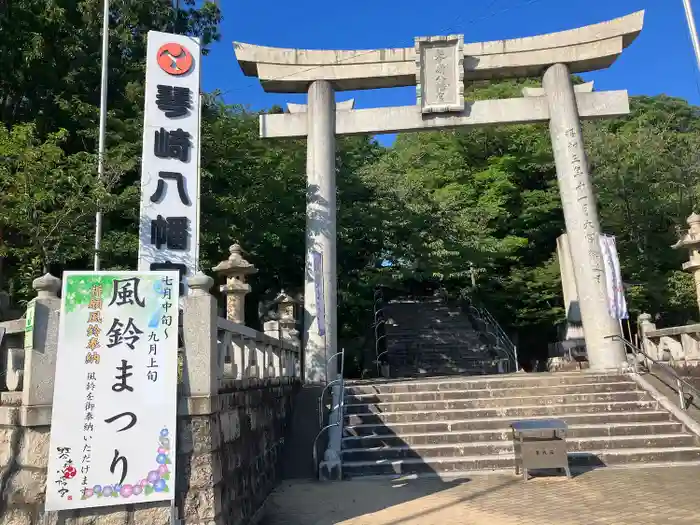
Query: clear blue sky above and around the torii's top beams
x=661, y=60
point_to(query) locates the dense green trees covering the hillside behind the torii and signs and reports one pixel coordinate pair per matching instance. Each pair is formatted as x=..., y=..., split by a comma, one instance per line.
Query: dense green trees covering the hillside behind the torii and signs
x=477, y=210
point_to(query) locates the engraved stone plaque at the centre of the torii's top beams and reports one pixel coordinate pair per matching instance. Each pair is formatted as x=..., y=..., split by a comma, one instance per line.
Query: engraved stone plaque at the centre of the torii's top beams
x=440, y=73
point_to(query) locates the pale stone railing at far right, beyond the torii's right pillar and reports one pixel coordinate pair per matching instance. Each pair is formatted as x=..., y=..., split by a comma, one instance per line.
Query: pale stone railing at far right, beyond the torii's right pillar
x=677, y=345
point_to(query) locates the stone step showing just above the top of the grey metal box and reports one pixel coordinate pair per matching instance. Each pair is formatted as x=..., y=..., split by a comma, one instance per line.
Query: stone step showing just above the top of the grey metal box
x=496, y=423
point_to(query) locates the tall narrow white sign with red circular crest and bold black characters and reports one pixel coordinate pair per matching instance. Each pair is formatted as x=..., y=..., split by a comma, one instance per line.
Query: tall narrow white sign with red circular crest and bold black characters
x=169, y=220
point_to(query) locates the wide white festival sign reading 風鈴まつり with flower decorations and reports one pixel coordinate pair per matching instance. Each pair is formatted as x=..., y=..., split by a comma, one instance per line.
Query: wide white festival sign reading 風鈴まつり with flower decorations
x=115, y=392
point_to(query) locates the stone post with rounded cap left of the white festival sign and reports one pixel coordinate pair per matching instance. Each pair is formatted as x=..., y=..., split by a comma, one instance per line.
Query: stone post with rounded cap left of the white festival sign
x=41, y=344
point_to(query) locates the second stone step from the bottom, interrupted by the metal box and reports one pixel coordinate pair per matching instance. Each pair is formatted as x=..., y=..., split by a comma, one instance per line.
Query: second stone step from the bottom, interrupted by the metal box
x=490, y=448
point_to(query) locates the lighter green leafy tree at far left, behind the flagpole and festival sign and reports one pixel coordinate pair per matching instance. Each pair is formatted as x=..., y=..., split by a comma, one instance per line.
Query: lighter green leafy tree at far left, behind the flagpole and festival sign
x=47, y=199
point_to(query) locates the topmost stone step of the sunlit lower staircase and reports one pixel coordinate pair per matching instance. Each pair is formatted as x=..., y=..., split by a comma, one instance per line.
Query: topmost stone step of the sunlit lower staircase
x=519, y=380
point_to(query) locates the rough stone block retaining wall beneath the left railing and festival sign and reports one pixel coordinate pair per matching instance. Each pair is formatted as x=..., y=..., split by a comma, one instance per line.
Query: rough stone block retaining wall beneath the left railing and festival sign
x=228, y=462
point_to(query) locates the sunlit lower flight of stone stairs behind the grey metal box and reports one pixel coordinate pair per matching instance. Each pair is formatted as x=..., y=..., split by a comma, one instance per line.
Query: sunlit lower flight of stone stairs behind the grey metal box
x=461, y=424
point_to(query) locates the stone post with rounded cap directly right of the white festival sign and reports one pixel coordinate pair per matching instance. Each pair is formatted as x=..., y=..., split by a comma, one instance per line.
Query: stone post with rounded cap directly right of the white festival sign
x=202, y=368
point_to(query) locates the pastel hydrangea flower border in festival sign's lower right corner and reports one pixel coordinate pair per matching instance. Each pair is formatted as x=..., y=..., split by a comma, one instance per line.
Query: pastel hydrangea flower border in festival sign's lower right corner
x=157, y=480
